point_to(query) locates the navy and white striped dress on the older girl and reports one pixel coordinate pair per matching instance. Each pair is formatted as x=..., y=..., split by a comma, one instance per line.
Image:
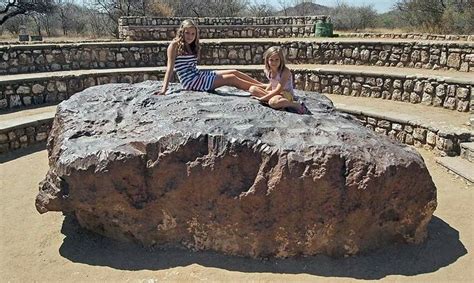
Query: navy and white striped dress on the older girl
x=190, y=77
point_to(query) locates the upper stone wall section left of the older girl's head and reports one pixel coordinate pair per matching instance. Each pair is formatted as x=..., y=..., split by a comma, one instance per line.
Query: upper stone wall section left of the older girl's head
x=19, y=59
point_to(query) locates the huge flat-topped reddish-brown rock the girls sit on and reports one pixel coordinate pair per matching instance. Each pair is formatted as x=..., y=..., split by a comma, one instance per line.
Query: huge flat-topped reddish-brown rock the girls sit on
x=223, y=172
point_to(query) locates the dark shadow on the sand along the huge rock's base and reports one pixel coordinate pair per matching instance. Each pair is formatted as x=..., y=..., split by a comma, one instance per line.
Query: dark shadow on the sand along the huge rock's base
x=441, y=249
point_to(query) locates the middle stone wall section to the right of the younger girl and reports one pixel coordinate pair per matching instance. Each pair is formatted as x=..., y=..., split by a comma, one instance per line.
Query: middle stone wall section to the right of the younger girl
x=425, y=90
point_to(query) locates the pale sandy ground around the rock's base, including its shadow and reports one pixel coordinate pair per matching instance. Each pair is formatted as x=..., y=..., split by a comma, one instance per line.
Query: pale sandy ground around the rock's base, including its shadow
x=51, y=248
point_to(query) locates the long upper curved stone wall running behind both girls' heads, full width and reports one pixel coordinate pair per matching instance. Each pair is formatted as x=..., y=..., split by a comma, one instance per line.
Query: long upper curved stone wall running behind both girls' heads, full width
x=17, y=59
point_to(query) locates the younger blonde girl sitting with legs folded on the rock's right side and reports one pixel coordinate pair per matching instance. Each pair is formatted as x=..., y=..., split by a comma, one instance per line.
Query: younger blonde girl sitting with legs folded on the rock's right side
x=279, y=92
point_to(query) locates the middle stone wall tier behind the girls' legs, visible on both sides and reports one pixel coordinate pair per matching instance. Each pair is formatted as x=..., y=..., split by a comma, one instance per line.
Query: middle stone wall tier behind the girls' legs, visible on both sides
x=449, y=94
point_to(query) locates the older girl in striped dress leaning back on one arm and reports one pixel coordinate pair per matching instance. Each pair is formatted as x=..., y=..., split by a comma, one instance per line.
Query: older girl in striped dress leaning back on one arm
x=183, y=54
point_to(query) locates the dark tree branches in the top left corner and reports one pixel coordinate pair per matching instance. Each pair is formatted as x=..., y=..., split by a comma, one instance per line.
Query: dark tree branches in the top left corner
x=12, y=8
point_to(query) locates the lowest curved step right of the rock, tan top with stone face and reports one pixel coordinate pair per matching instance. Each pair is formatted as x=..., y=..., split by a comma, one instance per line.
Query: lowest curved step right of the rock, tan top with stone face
x=411, y=124
